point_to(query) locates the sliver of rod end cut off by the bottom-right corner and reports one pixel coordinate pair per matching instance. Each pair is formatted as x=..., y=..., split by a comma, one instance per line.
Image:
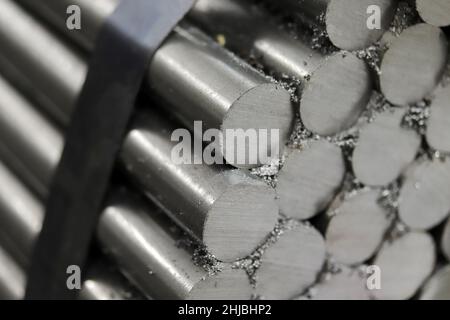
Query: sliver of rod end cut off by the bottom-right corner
x=438, y=286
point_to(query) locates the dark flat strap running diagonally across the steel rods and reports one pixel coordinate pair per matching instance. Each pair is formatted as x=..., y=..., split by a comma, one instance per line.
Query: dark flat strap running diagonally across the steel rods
x=128, y=40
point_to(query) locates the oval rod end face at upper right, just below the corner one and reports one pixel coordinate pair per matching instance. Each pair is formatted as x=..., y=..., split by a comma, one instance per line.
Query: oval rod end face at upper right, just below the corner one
x=413, y=65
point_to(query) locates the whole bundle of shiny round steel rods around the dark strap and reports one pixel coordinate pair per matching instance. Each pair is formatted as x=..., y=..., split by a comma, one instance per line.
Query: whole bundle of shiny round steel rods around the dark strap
x=360, y=191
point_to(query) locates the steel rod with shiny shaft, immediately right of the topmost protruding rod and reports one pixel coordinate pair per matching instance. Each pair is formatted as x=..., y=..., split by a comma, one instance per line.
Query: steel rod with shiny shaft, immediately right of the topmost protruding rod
x=336, y=88
